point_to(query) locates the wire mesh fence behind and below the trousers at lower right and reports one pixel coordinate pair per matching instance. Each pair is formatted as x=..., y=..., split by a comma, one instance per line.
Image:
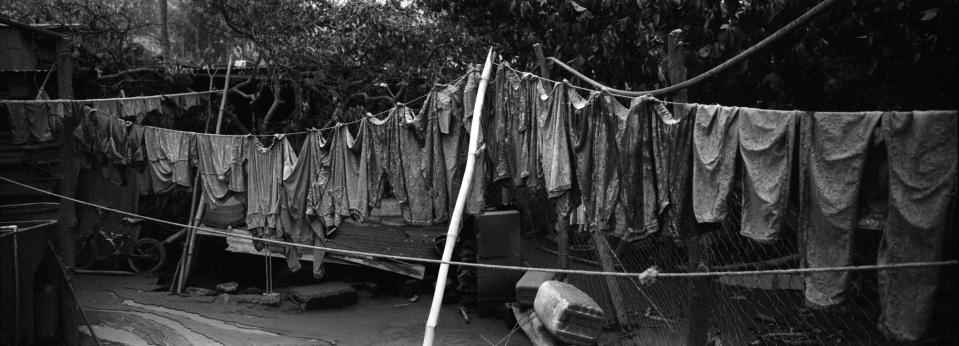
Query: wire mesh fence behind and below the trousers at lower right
x=762, y=308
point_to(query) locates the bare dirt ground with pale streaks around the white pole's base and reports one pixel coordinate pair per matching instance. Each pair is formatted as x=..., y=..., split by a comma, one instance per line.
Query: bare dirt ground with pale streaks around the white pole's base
x=124, y=310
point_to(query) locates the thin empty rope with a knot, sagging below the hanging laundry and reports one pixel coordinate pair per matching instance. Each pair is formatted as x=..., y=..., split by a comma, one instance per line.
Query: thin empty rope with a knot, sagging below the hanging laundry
x=646, y=277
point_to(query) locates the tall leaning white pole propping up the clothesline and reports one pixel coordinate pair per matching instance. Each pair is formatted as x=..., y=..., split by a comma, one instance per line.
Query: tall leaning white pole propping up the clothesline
x=456, y=218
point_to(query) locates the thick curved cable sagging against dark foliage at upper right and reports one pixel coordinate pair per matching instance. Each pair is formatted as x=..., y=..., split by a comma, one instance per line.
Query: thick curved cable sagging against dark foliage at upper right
x=813, y=12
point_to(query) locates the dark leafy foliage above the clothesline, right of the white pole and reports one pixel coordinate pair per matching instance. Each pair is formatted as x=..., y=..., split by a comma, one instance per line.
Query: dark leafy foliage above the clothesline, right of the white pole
x=866, y=54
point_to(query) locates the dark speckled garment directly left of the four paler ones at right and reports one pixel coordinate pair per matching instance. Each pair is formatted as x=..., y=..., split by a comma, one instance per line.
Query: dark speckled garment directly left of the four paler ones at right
x=674, y=139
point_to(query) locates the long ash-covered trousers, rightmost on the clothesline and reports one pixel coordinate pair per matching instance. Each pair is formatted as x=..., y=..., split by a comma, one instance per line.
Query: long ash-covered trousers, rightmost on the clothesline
x=922, y=151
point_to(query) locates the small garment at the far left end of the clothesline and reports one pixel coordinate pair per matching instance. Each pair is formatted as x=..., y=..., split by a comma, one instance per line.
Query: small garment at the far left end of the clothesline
x=29, y=120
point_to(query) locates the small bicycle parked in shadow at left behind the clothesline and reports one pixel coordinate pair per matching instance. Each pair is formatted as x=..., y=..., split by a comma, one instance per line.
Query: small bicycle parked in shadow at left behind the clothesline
x=142, y=255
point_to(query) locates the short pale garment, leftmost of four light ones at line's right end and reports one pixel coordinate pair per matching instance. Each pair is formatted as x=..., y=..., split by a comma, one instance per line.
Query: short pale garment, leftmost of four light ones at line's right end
x=715, y=146
